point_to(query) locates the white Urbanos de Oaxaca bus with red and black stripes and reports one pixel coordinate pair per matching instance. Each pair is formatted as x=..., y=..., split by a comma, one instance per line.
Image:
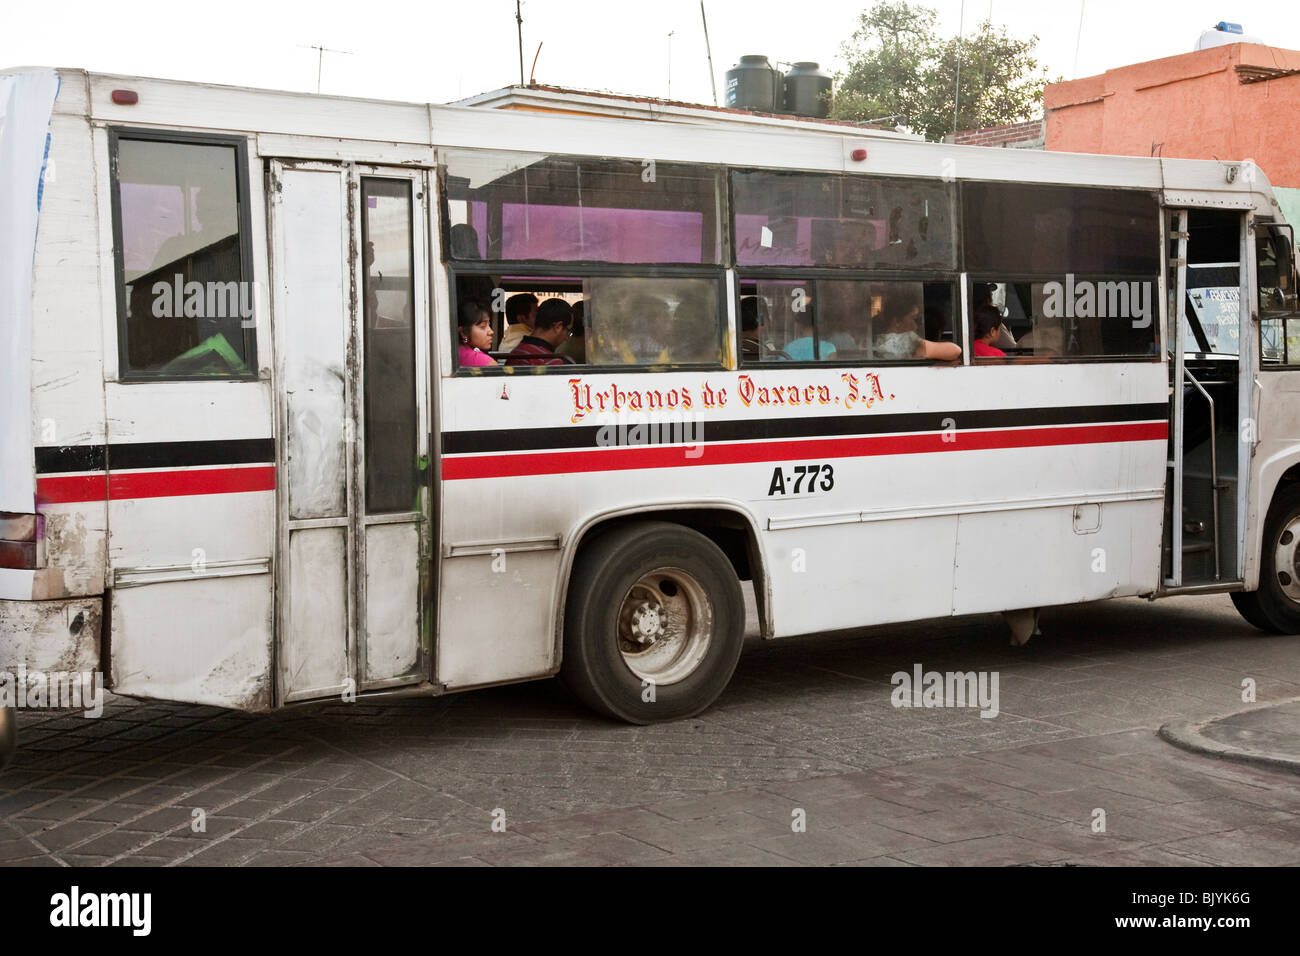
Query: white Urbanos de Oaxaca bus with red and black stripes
x=246, y=461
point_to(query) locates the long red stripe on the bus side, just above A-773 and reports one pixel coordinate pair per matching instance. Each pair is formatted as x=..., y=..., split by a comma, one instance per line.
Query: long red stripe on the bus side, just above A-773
x=748, y=453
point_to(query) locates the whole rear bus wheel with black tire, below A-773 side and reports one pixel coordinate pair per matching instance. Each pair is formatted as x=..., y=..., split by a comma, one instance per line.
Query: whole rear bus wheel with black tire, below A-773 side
x=655, y=624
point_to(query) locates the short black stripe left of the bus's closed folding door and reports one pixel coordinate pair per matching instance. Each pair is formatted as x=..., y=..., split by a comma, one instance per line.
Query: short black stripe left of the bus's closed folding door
x=154, y=455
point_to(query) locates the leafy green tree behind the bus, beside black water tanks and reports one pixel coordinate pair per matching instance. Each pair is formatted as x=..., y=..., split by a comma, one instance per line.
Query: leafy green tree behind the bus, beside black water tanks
x=900, y=70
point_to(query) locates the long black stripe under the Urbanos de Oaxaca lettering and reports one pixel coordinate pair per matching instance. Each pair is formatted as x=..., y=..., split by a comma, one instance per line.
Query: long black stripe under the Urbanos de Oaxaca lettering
x=808, y=427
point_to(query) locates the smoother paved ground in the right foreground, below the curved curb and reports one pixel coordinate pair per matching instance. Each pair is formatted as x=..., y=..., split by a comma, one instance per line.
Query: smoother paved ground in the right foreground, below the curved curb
x=1117, y=801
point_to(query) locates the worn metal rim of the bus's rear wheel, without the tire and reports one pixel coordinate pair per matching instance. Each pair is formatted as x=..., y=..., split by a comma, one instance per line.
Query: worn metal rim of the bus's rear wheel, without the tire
x=666, y=625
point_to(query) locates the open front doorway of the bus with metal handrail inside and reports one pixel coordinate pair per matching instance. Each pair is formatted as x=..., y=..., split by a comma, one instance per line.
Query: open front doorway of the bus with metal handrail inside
x=1210, y=341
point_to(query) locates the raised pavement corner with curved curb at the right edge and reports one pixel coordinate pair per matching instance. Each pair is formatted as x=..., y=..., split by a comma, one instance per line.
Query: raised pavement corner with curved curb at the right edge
x=1267, y=736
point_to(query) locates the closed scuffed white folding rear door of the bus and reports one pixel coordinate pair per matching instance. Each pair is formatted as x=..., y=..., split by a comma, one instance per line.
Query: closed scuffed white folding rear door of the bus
x=350, y=314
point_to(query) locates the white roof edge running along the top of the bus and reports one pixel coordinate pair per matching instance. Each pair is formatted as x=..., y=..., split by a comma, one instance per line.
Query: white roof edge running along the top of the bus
x=384, y=132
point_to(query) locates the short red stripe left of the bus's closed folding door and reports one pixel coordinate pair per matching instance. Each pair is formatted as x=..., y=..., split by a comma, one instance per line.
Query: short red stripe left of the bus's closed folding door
x=155, y=485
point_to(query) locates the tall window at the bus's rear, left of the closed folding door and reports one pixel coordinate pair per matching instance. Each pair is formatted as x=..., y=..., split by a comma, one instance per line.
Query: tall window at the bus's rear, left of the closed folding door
x=187, y=305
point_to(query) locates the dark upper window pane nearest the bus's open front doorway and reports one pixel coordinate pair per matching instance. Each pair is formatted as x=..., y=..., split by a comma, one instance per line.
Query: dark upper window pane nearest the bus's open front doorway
x=1059, y=231
